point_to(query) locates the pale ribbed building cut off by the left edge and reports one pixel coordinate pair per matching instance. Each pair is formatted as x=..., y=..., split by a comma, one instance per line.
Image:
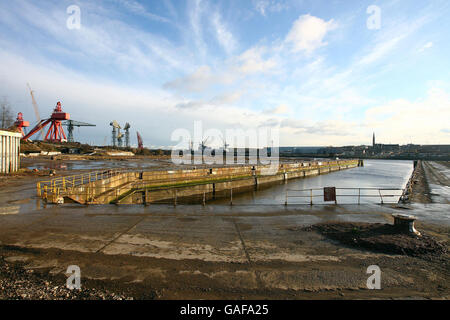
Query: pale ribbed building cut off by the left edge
x=9, y=151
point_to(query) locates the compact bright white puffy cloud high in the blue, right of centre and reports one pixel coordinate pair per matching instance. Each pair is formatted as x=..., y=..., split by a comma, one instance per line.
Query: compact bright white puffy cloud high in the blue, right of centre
x=308, y=32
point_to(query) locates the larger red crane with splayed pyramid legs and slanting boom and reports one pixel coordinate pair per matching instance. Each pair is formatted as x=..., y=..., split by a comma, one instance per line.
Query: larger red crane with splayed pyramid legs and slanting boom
x=55, y=132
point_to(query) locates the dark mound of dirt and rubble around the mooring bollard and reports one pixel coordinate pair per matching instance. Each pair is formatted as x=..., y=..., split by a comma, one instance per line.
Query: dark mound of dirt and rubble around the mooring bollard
x=379, y=237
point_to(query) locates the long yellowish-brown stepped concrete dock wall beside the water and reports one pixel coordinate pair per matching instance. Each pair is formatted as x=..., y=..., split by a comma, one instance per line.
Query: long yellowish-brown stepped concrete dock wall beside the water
x=150, y=186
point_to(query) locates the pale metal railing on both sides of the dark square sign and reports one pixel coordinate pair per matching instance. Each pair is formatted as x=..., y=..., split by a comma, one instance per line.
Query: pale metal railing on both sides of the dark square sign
x=359, y=193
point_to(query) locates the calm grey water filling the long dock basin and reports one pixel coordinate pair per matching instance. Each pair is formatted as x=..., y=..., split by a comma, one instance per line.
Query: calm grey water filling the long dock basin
x=375, y=174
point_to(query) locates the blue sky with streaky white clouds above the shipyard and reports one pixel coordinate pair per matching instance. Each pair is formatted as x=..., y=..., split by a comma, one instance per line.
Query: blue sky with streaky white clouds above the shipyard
x=321, y=72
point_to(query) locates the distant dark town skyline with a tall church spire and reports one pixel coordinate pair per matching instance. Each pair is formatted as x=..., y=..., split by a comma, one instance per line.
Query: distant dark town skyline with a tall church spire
x=374, y=151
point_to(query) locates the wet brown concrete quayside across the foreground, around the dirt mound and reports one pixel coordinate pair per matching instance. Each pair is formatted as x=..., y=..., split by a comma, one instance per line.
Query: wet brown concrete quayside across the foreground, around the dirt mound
x=195, y=252
